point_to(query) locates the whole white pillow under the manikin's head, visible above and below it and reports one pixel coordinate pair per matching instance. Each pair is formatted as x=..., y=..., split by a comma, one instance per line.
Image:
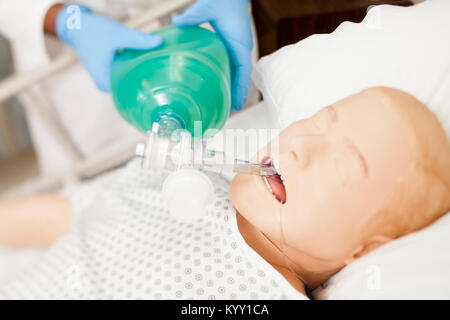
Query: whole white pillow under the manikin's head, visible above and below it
x=402, y=48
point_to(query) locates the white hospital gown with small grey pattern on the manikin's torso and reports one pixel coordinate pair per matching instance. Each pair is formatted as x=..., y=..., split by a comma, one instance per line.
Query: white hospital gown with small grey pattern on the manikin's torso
x=124, y=244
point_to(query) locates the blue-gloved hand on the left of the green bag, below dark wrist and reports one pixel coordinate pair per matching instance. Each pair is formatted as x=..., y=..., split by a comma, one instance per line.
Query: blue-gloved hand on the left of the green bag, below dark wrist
x=97, y=39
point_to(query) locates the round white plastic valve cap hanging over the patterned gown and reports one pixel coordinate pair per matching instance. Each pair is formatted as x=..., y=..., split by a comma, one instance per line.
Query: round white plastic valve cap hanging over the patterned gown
x=188, y=193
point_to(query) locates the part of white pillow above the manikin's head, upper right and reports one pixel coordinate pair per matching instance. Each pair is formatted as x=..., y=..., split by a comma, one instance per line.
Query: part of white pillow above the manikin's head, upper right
x=398, y=47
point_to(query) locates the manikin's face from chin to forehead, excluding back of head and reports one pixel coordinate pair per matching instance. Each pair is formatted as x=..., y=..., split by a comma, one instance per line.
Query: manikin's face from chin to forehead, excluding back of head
x=337, y=168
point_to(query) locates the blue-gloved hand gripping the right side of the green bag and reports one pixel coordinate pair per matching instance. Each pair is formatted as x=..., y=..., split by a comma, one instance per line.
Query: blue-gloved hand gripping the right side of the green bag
x=231, y=20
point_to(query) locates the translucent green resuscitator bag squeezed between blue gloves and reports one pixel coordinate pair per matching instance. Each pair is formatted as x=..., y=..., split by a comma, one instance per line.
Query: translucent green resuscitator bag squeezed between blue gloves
x=187, y=79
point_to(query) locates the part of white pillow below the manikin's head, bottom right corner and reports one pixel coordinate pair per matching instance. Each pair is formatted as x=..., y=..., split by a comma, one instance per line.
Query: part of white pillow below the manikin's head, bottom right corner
x=416, y=266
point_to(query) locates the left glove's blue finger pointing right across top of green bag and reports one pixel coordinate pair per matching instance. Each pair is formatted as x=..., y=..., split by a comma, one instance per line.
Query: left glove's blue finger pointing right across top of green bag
x=135, y=39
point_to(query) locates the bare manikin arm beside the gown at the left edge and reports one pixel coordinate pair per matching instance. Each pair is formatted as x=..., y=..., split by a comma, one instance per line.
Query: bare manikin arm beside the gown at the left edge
x=37, y=221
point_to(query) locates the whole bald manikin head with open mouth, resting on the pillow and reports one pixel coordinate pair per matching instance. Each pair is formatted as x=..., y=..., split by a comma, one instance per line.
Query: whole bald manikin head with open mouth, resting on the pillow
x=370, y=168
